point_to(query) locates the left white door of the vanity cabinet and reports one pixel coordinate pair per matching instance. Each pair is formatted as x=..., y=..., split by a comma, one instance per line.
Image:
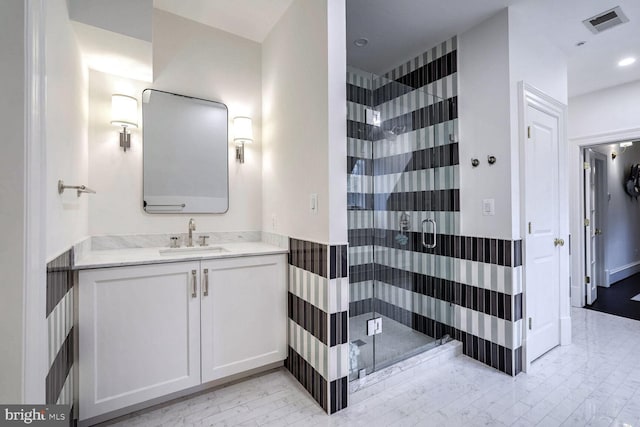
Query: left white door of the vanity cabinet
x=139, y=333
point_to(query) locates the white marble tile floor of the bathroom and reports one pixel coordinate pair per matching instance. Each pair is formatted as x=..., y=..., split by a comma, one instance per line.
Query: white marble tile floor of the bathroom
x=594, y=381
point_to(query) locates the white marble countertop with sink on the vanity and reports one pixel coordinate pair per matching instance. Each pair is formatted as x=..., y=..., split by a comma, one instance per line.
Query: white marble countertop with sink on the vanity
x=152, y=255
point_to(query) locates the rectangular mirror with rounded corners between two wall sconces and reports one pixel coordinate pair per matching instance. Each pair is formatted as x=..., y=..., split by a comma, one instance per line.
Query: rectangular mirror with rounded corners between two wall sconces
x=185, y=154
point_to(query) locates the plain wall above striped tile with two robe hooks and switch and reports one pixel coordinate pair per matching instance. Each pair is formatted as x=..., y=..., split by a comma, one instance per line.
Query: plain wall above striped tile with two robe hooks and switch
x=484, y=111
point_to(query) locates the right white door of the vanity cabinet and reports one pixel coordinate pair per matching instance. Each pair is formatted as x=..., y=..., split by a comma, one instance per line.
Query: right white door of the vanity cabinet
x=244, y=314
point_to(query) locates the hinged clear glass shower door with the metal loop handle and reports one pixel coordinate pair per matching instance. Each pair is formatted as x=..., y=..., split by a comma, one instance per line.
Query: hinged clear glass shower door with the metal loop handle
x=413, y=179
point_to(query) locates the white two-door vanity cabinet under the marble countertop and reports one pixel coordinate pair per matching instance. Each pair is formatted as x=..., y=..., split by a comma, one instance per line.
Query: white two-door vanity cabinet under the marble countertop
x=152, y=330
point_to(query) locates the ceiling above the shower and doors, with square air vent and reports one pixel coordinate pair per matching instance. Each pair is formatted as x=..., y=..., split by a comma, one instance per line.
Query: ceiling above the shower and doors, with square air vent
x=400, y=29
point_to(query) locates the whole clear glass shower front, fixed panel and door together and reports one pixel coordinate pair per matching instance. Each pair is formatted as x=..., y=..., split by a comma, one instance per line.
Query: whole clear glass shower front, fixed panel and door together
x=403, y=161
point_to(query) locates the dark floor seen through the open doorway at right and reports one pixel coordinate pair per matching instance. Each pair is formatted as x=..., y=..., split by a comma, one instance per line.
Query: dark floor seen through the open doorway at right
x=617, y=299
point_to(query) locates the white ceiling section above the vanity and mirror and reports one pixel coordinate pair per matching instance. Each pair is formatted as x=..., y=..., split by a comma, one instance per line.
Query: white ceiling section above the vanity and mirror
x=251, y=19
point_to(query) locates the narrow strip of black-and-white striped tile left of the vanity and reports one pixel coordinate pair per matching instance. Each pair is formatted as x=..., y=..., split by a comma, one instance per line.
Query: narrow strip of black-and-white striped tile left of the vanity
x=60, y=315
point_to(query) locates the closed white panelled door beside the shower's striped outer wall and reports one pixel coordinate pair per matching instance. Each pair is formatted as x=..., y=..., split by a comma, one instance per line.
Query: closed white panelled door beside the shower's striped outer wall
x=542, y=257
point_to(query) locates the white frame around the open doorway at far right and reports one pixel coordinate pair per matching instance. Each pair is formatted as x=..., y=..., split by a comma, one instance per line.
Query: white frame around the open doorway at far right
x=576, y=159
